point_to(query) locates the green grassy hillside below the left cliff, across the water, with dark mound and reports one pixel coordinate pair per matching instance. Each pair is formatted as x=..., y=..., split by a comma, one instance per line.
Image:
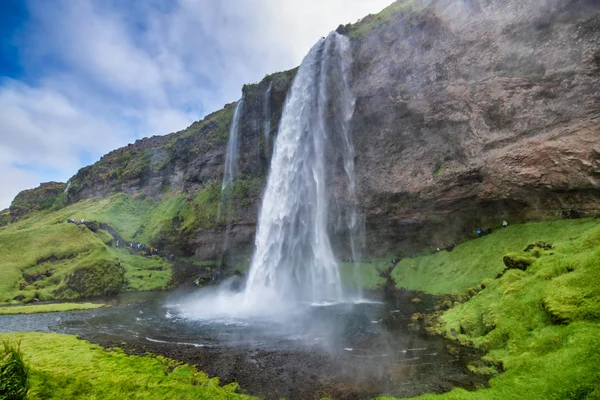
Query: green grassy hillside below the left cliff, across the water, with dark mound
x=44, y=258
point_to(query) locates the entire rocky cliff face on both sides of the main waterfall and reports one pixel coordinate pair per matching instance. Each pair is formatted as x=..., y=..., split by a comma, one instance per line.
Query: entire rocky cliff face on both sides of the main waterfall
x=467, y=113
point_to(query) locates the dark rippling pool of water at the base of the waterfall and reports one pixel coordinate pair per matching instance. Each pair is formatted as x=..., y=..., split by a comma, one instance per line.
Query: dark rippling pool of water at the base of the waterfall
x=345, y=350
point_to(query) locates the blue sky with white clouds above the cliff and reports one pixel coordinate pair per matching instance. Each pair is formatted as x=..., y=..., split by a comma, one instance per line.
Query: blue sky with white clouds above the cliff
x=79, y=78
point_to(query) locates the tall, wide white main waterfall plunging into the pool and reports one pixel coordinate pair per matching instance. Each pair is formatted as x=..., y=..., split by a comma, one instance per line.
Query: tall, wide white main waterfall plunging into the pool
x=293, y=257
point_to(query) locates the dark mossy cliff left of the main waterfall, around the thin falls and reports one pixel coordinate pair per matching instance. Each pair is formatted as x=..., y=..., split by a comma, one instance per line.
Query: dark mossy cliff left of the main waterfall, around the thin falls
x=187, y=161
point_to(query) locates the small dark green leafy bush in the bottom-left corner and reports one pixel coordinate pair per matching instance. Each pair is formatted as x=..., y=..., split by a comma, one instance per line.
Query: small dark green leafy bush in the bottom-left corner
x=14, y=383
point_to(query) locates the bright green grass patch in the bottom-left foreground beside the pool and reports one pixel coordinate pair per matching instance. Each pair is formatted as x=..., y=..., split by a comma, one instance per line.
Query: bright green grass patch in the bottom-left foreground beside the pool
x=63, y=367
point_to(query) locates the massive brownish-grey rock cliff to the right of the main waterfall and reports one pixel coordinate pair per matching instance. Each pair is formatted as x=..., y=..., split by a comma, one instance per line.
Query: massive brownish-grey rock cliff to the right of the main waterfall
x=473, y=112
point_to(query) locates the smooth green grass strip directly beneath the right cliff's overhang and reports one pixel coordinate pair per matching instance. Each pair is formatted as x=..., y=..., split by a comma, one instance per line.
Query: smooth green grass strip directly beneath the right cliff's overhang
x=474, y=261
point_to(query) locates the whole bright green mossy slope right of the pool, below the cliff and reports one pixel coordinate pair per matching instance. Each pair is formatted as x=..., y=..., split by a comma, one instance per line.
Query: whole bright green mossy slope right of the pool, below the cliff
x=542, y=324
